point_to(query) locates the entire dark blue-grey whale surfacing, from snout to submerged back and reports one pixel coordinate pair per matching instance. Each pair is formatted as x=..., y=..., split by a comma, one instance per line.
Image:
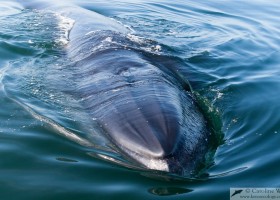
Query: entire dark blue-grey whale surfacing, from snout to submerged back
x=143, y=107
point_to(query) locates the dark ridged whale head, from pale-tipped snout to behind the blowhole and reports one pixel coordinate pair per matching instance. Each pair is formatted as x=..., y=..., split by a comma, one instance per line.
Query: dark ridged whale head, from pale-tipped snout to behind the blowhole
x=146, y=114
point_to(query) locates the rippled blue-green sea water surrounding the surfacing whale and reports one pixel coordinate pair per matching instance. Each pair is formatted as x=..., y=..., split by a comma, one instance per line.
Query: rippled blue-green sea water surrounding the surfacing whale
x=227, y=50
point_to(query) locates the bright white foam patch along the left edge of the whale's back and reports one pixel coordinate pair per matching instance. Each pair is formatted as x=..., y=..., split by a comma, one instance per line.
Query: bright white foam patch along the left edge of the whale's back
x=65, y=24
